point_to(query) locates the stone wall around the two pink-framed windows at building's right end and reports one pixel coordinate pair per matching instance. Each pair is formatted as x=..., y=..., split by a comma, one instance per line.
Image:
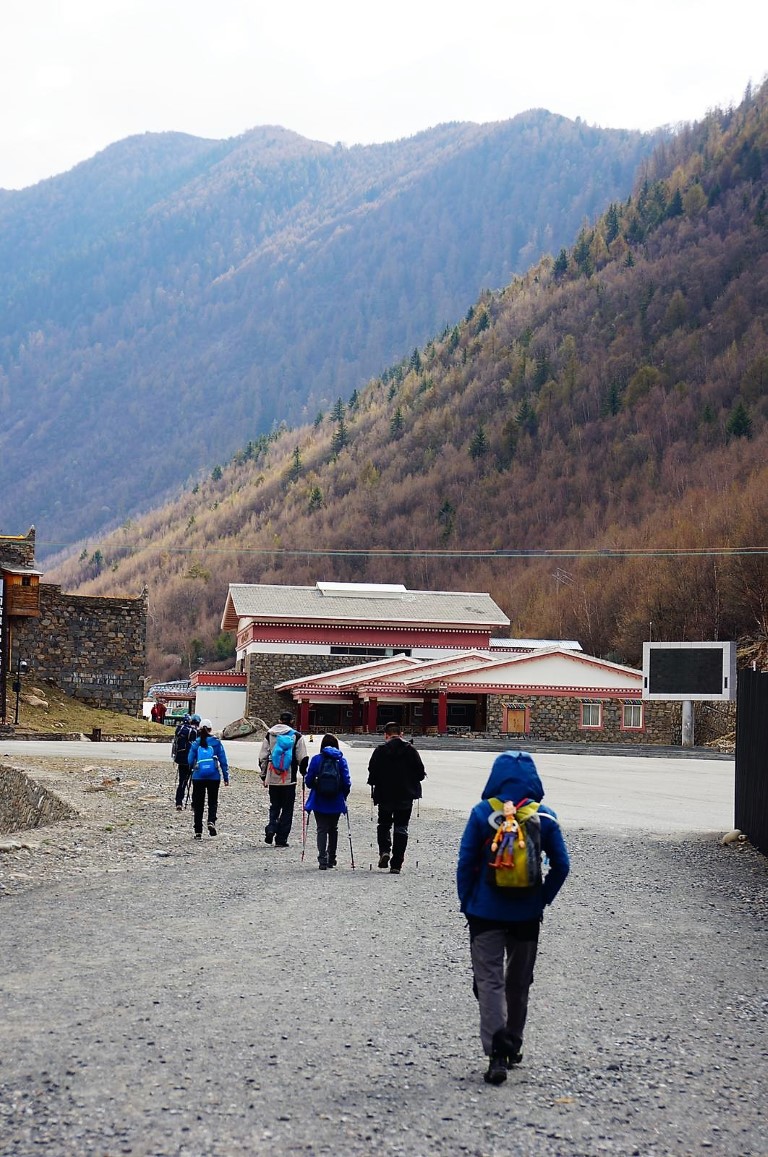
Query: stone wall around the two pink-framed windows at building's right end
x=559, y=719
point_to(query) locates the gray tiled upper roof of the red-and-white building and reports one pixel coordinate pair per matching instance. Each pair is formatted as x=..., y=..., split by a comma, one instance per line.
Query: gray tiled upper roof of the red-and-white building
x=361, y=605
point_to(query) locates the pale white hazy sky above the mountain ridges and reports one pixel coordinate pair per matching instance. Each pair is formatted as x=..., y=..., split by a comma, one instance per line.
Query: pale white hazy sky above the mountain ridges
x=77, y=76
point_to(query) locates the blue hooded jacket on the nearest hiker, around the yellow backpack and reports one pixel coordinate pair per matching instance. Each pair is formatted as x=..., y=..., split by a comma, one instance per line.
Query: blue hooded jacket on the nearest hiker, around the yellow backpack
x=513, y=777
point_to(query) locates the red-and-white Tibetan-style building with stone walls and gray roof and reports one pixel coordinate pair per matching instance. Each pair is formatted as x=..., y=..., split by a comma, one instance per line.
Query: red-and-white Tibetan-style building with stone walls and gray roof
x=349, y=658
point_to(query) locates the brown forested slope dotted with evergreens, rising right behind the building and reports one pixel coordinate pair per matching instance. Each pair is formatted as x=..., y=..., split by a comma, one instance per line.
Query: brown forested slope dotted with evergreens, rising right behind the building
x=614, y=399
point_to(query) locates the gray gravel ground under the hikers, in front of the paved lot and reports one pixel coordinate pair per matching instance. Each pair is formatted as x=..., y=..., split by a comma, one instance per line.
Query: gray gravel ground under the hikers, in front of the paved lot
x=169, y=998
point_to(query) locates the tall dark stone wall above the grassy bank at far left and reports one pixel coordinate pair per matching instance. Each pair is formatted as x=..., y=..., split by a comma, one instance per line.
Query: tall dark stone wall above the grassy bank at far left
x=93, y=648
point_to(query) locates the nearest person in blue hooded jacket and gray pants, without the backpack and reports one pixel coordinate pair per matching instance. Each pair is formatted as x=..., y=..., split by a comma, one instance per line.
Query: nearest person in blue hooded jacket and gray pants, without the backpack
x=505, y=922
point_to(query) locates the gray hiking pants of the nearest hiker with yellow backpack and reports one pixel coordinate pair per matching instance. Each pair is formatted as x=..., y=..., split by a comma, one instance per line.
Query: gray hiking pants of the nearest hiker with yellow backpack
x=504, y=974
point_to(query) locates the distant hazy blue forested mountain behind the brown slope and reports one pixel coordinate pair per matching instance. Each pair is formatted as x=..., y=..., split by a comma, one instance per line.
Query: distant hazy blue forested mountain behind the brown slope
x=173, y=298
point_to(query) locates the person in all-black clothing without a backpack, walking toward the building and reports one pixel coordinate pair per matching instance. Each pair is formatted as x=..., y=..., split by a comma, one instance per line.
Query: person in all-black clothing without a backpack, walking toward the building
x=395, y=775
